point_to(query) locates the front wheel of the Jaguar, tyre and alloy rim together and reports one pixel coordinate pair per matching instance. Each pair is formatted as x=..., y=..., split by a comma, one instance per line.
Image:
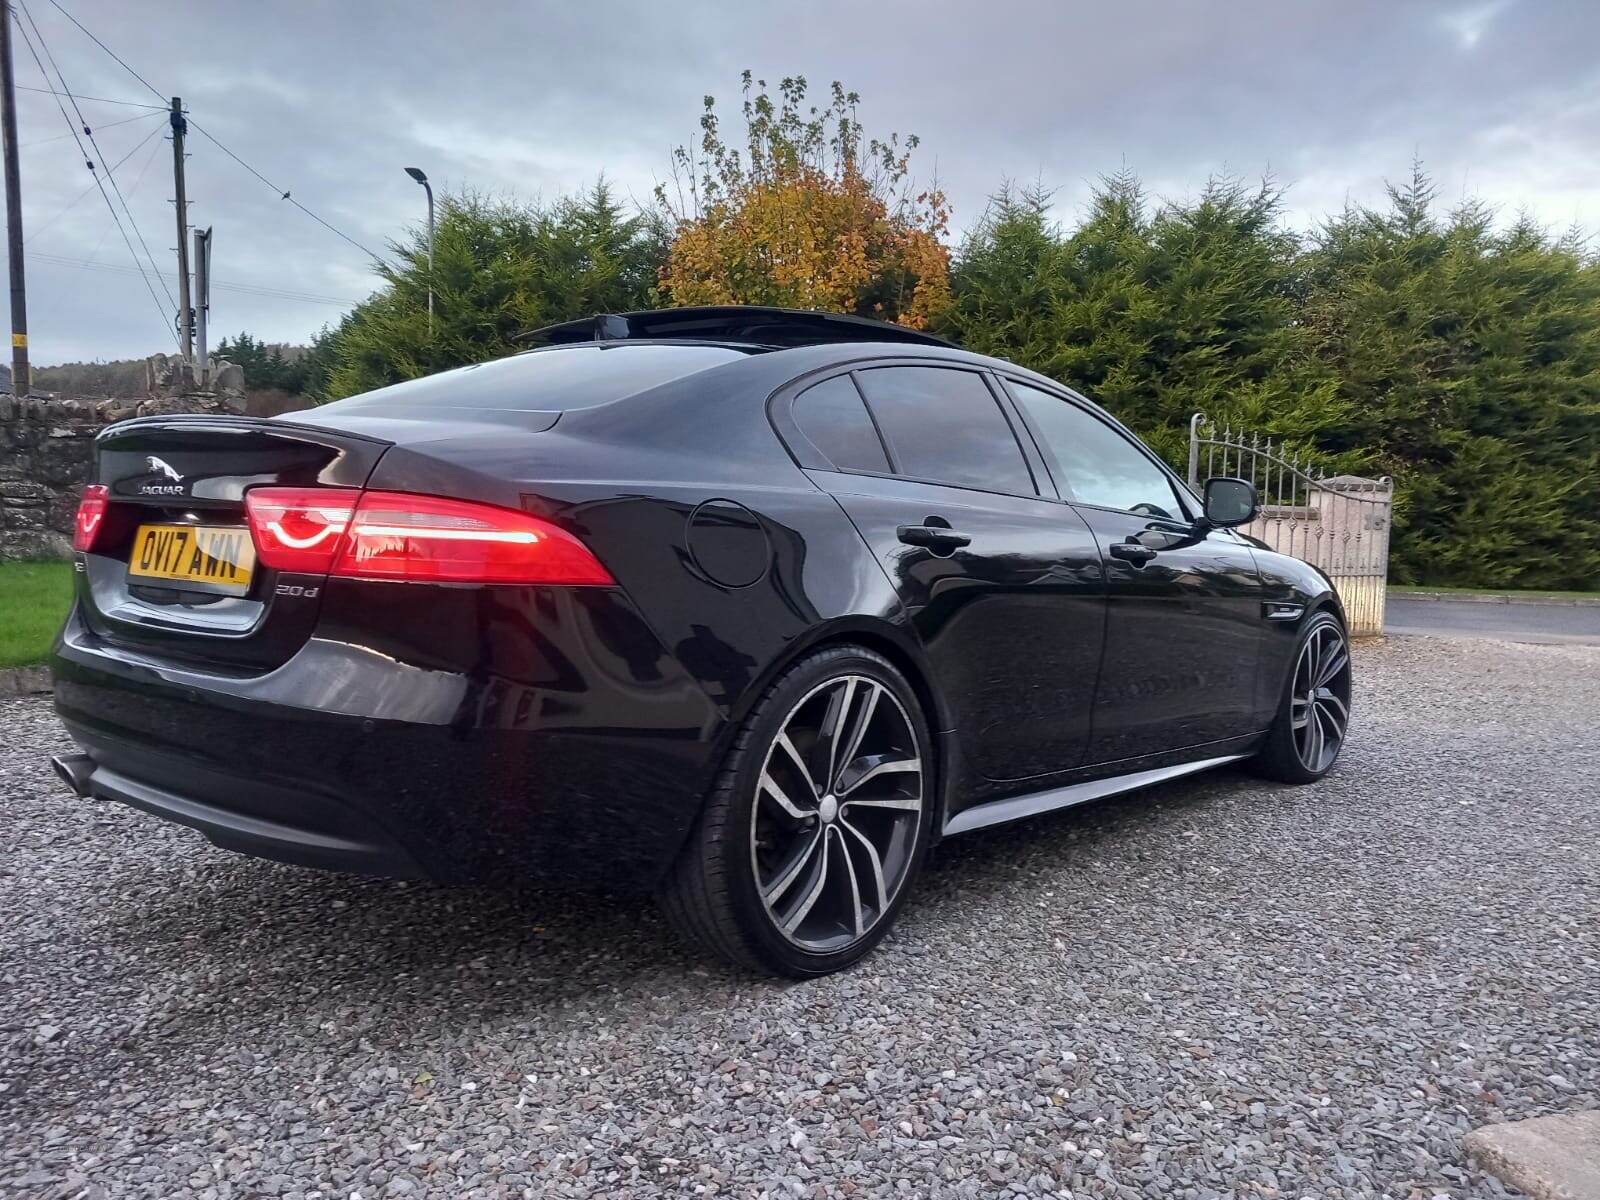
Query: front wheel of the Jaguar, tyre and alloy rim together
x=1314, y=713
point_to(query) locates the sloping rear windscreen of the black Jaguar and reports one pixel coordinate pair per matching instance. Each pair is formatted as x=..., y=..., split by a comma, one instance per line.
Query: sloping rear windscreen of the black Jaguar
x=554, y=380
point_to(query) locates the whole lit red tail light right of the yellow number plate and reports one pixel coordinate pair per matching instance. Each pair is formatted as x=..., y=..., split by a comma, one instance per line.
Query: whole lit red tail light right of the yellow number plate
x=390, y=535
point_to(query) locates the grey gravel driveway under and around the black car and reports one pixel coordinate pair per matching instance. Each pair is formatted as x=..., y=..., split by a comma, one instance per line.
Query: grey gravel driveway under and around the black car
x=1222, y=988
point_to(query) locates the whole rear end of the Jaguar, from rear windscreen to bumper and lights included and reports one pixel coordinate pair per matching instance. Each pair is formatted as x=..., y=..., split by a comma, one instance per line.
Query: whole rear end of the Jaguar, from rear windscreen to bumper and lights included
x=361, y=639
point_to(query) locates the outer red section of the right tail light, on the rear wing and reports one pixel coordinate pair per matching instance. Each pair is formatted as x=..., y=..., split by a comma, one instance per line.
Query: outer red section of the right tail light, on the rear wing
x=434, y=540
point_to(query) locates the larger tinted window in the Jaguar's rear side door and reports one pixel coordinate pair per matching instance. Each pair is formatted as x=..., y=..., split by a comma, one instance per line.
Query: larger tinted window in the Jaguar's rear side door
x=946, y=426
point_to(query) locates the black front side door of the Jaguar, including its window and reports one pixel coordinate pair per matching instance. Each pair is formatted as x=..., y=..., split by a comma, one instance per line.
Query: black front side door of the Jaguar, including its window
x=1185, y=606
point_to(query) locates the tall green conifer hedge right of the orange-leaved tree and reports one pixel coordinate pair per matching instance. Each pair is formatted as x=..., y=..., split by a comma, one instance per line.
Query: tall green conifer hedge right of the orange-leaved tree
x=1460, y=359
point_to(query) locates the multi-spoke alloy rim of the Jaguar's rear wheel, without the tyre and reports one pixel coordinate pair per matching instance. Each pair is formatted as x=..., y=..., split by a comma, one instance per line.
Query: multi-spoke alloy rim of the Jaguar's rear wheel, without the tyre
x=838, y=814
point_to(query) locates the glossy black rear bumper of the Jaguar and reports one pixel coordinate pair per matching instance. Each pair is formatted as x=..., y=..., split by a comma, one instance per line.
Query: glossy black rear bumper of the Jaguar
x=354, y=761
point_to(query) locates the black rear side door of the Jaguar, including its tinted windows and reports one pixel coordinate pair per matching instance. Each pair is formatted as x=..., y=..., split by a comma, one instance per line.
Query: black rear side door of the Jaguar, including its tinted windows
x=1002, y=586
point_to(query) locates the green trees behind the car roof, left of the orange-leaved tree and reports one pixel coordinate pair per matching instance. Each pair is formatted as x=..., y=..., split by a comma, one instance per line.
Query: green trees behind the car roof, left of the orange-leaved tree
x=500, y=270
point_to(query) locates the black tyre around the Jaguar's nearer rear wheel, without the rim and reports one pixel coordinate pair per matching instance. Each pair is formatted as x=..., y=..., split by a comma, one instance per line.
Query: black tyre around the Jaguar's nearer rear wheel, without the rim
x=748, y=910
